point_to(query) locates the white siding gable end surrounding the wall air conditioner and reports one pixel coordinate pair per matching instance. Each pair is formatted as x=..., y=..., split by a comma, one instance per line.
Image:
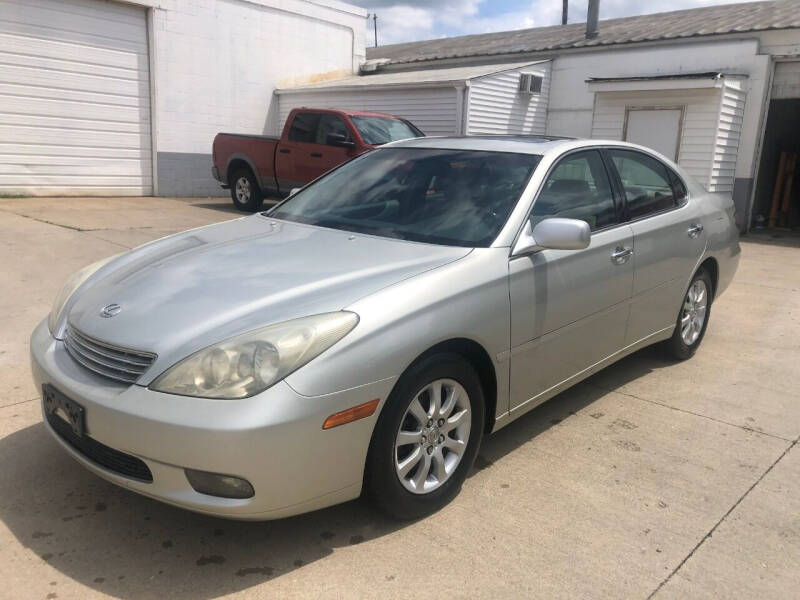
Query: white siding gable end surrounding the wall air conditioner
x=496, y=106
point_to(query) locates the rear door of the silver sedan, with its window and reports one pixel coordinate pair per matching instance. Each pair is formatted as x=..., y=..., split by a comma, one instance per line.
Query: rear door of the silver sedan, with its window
x=668, y=237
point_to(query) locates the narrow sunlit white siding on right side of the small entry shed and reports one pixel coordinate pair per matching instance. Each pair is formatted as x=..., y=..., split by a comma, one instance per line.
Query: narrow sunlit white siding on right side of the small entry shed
x=729, y=132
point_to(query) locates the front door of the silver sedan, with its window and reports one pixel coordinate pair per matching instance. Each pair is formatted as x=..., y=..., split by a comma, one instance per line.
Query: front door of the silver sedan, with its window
x=569, y=308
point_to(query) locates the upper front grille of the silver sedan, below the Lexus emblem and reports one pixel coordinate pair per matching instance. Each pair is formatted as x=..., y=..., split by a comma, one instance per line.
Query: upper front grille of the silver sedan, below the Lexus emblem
x=120, y=364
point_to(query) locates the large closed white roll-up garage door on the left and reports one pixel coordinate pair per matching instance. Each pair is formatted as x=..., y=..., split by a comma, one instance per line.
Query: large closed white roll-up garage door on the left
x=74, y=98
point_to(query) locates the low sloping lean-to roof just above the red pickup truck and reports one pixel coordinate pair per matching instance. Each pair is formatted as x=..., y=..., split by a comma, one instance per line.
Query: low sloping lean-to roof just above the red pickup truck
x=411, y=78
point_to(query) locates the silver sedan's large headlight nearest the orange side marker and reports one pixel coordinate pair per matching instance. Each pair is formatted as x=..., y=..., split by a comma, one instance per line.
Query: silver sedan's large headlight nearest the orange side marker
x=251, y=362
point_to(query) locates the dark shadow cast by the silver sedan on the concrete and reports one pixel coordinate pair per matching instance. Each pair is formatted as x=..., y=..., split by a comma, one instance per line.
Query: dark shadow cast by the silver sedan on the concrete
x=129, y=546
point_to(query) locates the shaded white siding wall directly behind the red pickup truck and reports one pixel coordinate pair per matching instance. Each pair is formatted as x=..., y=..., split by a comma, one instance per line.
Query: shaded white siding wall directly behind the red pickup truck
x=433, y=109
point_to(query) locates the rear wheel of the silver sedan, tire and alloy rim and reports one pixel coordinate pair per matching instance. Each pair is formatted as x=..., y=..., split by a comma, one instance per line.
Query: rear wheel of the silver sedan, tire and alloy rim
x=690, y=327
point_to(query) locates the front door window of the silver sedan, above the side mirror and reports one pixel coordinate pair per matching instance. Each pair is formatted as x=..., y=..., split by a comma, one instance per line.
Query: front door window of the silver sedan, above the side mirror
x=578, y=188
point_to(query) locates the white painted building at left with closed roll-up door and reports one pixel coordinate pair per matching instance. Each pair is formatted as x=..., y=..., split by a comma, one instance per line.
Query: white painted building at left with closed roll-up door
x=100, y=97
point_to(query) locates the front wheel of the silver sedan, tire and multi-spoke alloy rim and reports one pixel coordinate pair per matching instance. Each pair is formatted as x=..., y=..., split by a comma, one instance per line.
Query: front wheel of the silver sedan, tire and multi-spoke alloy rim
x=426, y=438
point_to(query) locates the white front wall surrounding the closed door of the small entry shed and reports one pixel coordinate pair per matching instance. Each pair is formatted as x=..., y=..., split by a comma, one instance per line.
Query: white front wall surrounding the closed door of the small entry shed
x=699, y=131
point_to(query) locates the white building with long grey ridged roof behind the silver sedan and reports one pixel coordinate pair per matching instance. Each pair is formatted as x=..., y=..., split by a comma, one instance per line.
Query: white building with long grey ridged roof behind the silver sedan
x=715, y=88
